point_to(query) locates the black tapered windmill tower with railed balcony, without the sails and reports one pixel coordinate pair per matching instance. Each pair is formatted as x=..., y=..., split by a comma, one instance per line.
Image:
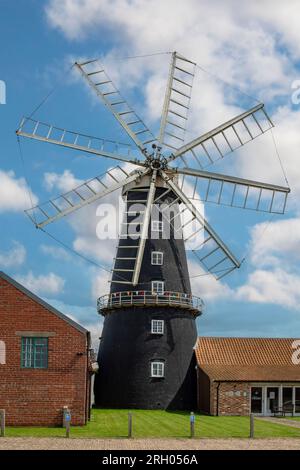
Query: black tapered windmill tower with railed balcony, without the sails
x=146, y=350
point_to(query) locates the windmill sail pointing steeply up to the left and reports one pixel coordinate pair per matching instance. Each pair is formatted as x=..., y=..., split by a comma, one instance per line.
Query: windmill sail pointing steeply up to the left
x=105, y=89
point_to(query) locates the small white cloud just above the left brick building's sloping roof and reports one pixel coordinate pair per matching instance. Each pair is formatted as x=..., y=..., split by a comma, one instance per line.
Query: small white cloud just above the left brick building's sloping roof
x=44, y=284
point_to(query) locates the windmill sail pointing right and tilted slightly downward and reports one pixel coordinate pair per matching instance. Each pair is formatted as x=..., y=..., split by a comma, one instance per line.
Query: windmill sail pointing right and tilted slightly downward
x=233, y=191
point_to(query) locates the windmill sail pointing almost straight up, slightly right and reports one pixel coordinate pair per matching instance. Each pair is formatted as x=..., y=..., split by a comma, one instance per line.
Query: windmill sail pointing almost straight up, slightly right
x=177, y=102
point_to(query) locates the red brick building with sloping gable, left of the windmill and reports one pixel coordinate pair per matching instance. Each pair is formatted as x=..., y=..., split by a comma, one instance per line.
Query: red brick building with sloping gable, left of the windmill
x=44, y=360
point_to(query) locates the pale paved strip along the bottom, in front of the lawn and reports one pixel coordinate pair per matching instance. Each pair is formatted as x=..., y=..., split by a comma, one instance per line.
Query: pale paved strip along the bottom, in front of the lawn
x=20, y=443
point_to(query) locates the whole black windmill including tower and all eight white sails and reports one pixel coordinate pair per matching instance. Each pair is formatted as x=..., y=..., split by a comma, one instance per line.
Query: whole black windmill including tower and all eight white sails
x=146, y=350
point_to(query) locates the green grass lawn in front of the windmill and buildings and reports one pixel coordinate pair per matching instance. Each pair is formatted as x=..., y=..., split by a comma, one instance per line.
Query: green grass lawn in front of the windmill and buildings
x=146, y=423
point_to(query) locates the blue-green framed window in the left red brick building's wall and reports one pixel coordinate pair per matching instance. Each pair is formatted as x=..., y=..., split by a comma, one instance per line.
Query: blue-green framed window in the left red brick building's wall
x=34, y=353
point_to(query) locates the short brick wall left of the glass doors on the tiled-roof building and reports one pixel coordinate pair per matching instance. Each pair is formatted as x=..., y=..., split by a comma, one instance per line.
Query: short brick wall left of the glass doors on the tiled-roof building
x=234, y=398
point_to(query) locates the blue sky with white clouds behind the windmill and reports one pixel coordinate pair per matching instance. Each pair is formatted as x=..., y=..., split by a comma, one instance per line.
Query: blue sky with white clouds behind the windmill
x=254, y=49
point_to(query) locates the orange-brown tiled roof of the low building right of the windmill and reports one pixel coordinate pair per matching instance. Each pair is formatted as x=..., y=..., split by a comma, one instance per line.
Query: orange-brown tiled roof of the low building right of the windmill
x=249, y=359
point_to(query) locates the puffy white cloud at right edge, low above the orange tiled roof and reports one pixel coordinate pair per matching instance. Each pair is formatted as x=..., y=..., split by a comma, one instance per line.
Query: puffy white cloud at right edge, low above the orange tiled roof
x=273, y=287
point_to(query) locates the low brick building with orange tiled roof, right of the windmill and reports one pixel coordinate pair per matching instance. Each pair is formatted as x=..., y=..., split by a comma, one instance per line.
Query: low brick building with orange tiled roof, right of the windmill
x=237, y=376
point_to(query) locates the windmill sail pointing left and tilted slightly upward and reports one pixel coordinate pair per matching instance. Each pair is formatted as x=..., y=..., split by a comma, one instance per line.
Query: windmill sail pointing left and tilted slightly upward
x=44, y=132
